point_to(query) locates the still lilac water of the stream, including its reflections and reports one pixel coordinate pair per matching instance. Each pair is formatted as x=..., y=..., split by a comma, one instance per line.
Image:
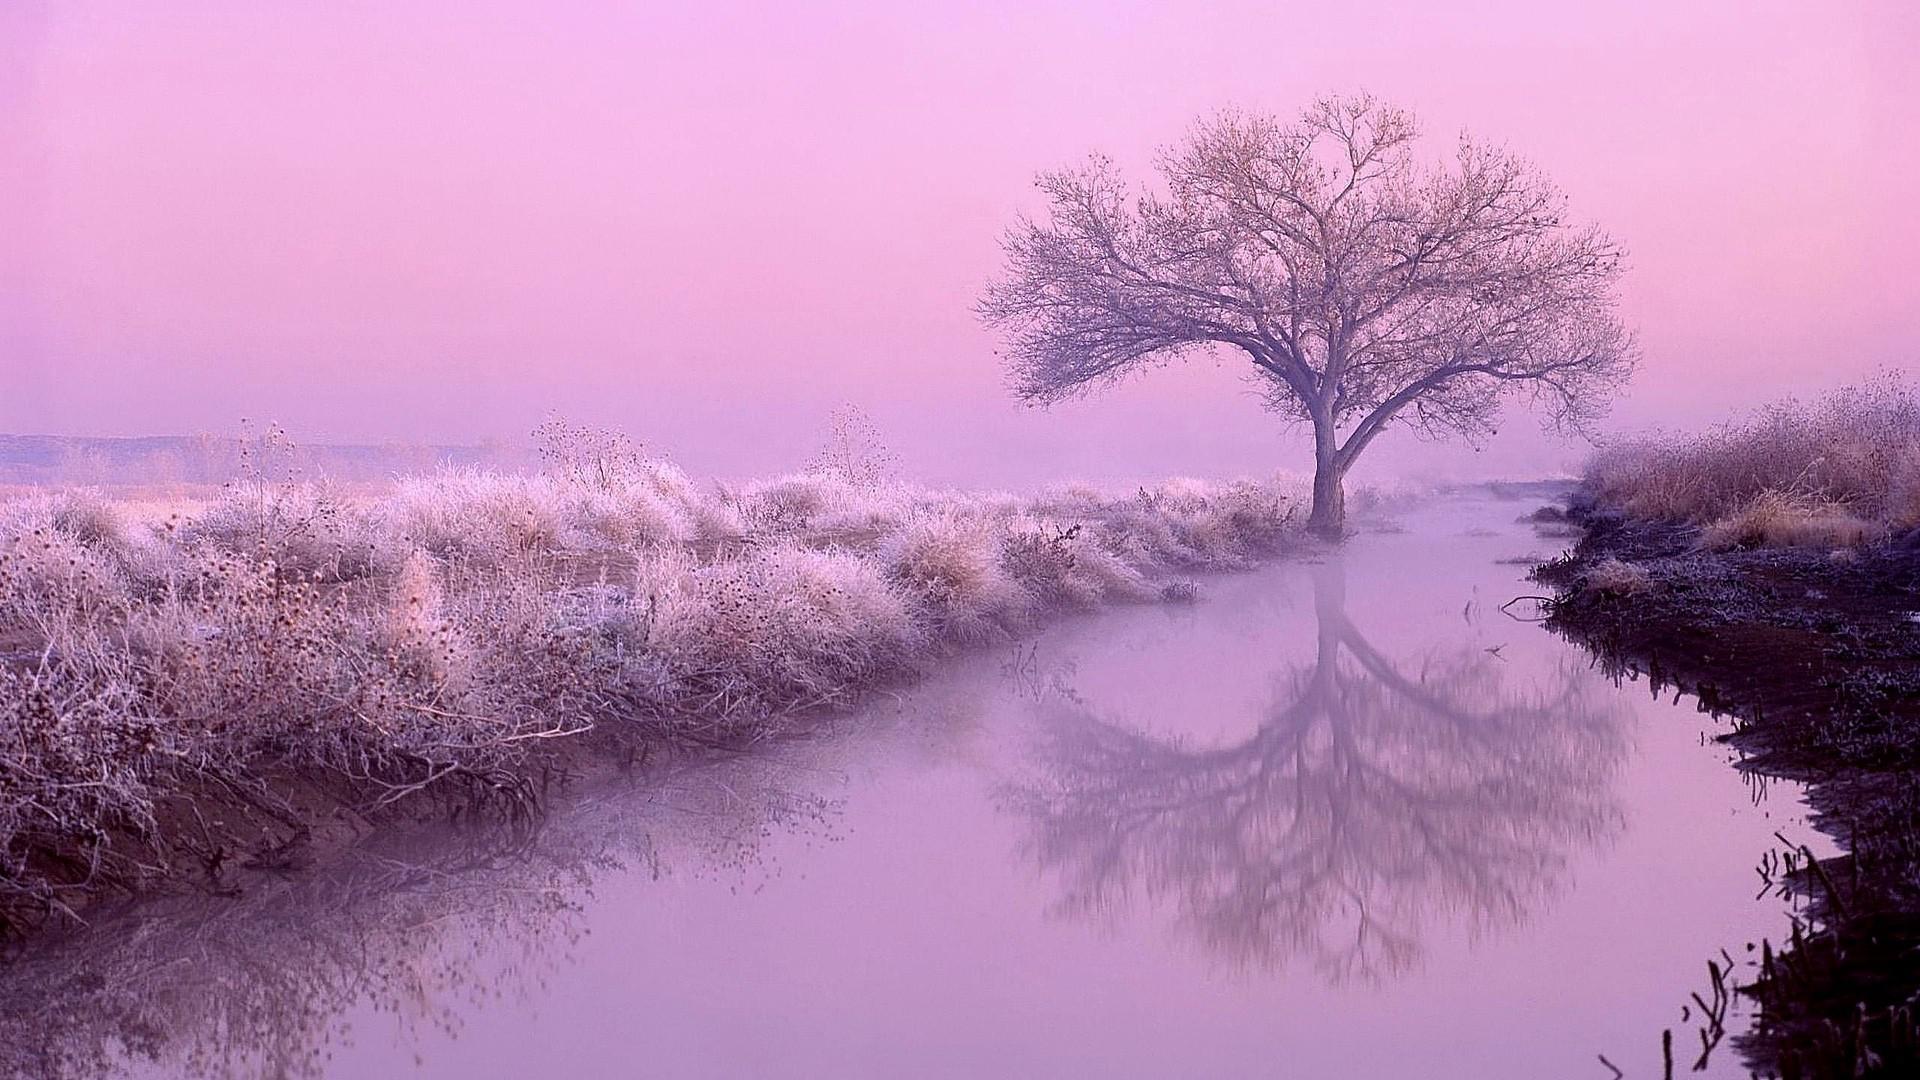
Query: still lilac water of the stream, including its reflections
x=1343, y=818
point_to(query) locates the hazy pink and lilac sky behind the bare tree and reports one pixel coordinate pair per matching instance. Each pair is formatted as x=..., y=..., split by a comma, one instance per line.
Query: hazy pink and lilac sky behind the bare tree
x=709, y=224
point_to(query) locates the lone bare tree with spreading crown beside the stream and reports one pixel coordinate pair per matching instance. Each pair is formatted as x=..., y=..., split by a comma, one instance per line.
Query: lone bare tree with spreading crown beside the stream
x=1368, y=287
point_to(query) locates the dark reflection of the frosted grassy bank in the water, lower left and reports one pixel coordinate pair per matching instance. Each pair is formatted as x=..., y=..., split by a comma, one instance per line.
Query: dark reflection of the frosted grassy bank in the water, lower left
x=420, y=933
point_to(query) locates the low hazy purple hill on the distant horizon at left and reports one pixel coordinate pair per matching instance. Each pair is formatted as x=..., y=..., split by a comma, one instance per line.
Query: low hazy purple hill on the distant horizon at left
x=212, y=460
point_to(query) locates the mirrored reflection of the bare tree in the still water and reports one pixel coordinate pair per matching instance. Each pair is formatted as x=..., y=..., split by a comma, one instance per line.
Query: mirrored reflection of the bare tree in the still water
x=1376, y=797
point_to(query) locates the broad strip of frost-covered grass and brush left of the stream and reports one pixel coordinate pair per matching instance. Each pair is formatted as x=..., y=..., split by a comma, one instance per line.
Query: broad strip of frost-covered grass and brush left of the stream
x=452, y=633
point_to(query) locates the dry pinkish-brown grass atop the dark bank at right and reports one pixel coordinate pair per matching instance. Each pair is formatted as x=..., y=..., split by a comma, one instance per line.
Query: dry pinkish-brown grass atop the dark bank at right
x=1833, y=474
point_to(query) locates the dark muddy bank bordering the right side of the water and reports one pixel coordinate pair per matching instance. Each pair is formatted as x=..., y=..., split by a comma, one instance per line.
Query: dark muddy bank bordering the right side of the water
x=1817, y=660
